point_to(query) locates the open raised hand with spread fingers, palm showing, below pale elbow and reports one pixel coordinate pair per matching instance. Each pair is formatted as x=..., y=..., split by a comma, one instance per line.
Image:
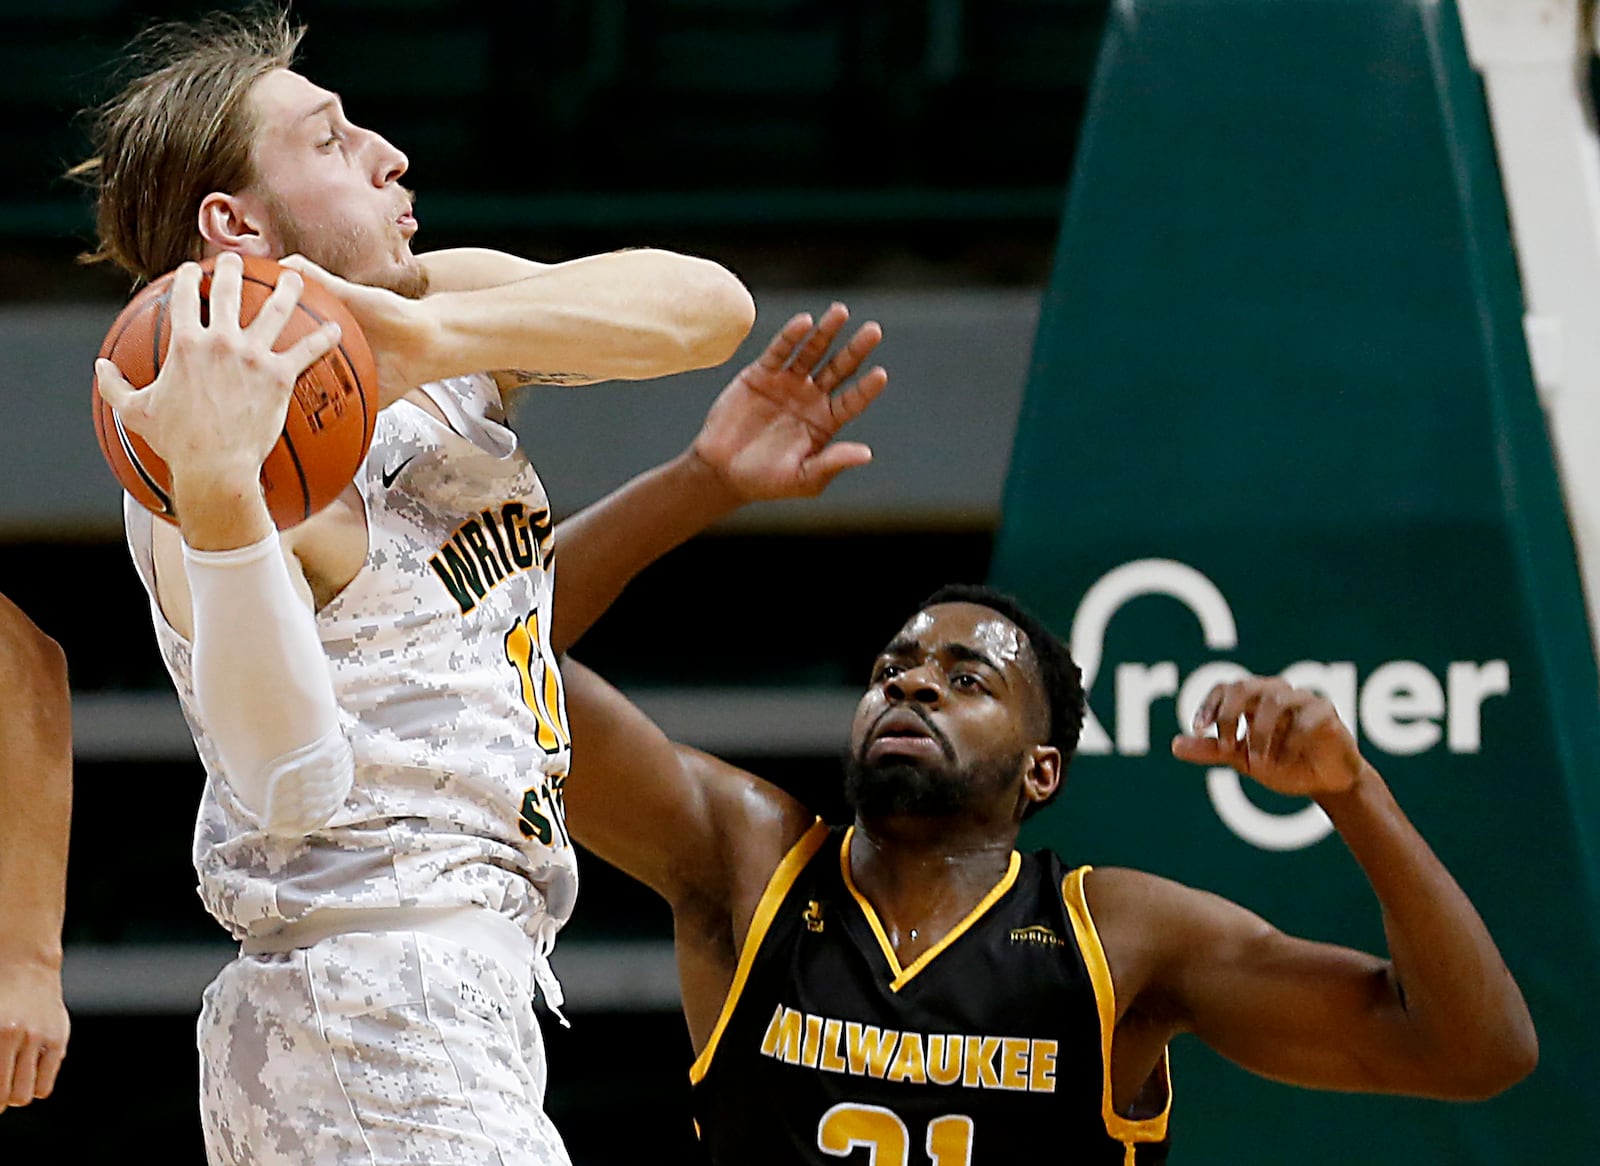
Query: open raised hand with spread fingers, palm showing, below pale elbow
x=770, y=433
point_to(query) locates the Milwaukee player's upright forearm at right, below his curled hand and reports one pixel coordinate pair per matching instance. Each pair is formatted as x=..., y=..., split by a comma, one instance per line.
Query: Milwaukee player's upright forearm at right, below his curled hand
x=1458, y=996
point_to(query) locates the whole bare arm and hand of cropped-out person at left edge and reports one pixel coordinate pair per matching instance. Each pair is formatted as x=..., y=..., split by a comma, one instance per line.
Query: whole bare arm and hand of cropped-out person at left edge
x=36, y=805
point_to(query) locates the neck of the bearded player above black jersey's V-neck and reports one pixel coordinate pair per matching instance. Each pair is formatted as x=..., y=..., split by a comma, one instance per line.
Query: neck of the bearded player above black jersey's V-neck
x=922, y=882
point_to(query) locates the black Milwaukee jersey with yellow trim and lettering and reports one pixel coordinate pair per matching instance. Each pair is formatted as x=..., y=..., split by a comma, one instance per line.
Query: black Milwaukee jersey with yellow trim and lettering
x=991, y=1050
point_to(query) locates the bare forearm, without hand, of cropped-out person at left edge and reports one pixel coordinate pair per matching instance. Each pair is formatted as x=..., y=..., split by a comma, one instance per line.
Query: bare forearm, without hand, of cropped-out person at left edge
x=36, y=794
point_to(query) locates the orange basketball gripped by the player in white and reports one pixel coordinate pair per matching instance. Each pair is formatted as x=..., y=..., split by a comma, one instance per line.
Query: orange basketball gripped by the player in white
x=332, y=412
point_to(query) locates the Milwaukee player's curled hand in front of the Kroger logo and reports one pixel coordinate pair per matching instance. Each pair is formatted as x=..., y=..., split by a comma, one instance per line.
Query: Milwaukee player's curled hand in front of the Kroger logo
x=1287, y=738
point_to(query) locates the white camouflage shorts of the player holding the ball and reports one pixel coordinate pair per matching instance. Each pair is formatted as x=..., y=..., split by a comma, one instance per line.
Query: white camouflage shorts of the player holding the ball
x=383, y=1048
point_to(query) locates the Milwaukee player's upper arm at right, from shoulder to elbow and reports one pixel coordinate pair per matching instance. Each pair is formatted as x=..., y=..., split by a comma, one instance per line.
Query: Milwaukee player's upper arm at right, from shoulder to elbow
x=1305, y=1013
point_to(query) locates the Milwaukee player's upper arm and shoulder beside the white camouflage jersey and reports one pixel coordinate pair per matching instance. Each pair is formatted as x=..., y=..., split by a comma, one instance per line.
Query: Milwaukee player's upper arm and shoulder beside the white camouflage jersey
x=687, y=825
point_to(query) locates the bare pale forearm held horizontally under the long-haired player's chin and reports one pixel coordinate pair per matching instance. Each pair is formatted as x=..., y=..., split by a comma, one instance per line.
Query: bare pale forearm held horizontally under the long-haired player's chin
x=626, y=316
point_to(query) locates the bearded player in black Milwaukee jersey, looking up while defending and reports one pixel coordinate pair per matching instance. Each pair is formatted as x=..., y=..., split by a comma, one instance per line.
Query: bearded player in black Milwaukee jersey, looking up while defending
x=911, y=989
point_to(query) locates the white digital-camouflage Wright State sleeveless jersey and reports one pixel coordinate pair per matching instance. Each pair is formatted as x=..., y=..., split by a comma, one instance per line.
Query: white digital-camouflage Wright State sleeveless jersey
x=447, y=692
